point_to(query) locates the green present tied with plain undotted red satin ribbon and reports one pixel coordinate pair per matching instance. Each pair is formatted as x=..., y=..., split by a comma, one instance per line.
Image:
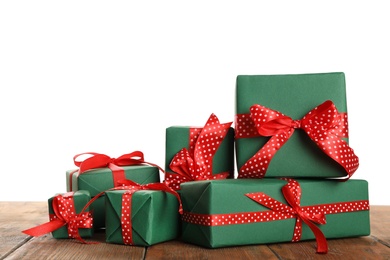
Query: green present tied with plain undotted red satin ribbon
x=99, y=172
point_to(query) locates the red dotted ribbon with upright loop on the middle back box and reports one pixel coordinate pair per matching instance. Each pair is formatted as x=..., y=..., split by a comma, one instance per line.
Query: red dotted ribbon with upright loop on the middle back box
x=196, y=163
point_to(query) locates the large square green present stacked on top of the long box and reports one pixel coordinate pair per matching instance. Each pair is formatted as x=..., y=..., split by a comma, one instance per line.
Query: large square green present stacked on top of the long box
x=293, y=126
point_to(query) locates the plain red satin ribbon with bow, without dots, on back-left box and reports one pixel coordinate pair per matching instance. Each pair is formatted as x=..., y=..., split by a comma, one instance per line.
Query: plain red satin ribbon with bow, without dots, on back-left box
x=98, y=160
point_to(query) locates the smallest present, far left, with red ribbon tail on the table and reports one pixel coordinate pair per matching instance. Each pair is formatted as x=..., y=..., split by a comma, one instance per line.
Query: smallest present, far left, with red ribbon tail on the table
x=70, y=217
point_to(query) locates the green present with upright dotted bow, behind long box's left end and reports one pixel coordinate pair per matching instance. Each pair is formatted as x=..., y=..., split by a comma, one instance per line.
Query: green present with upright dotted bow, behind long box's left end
x=199, y=153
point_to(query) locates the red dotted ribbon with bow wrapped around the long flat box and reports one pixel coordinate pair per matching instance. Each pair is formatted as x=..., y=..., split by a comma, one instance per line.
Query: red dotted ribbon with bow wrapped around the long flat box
x=310, y=215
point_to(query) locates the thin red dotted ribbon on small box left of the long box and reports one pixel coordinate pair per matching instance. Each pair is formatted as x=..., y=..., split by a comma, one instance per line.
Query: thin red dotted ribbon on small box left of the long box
x=132, y=187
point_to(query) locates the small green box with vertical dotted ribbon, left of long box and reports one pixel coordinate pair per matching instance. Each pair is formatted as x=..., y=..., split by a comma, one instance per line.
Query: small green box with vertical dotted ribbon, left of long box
x=154, y=217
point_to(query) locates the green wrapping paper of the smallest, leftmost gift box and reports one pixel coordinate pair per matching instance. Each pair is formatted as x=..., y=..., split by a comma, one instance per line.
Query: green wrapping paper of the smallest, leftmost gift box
x=80, y=199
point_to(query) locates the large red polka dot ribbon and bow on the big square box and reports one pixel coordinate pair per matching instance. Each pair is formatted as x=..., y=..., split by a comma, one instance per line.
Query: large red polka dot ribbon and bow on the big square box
x=324, y=125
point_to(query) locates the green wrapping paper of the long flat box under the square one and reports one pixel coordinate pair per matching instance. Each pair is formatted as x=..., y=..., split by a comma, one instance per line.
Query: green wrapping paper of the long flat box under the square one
x=210, y=198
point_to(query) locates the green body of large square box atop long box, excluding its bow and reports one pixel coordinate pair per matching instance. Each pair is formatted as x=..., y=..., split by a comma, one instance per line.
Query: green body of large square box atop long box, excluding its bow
x=294, y=96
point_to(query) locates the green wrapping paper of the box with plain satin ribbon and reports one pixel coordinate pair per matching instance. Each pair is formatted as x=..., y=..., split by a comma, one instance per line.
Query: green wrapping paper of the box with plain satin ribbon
x=101, y=179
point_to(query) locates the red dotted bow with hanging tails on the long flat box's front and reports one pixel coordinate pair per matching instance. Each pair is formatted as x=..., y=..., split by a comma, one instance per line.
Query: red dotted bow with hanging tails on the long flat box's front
x=292, y=194
